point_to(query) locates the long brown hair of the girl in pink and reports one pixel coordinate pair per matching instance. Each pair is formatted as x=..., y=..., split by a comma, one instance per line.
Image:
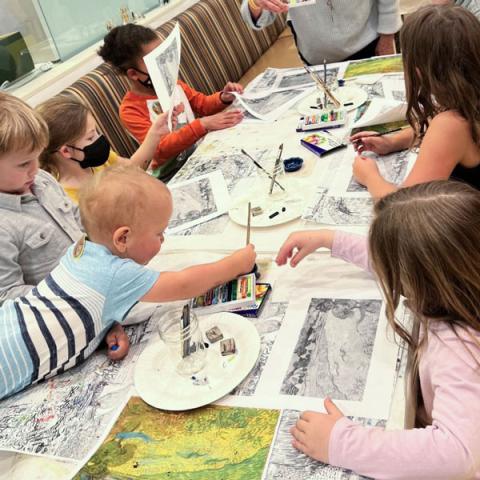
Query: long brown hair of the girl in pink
x=425, y=246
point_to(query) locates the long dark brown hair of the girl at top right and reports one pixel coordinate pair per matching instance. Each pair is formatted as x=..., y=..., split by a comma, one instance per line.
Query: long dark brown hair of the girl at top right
x=441, y=57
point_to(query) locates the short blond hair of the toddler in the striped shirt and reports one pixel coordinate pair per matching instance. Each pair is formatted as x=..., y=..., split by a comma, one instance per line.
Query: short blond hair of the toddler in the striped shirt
x=117, y=196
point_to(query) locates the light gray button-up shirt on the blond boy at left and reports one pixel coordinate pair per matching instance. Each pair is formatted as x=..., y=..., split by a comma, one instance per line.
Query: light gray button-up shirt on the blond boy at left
x=35, y=231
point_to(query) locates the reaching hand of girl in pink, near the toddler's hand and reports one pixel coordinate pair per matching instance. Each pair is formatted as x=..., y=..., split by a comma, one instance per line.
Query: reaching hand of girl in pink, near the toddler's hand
x=300, y=244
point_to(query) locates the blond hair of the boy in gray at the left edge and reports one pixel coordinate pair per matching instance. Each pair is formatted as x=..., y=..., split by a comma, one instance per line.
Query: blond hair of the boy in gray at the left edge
x=21, y=128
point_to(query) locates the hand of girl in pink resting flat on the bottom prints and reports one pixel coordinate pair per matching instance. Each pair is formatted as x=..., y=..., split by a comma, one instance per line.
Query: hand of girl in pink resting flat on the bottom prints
x=311, y=434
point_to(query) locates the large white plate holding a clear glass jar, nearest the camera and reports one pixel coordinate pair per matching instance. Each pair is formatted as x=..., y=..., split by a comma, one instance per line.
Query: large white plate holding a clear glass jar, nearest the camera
x=159, y=385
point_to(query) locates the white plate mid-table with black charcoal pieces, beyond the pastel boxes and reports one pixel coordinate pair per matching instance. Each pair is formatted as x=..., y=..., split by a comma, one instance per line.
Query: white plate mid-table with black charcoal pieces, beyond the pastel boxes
x=276, y=209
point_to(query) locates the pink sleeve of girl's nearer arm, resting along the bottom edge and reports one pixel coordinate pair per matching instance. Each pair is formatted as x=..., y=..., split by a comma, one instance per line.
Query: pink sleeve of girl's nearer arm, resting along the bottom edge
x=449, y=448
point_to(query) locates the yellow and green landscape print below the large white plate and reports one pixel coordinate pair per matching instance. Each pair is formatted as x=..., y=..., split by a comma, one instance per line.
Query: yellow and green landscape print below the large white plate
x=211, y=443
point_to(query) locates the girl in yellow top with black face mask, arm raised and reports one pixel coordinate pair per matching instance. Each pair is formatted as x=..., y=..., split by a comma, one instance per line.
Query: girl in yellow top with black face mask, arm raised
x=76, y=153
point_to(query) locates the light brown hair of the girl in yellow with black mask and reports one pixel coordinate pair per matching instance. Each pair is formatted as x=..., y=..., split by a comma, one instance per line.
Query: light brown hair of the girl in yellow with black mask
x=66, y=118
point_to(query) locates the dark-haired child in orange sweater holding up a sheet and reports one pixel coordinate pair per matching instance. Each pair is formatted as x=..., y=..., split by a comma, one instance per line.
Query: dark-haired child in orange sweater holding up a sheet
x=124, y=48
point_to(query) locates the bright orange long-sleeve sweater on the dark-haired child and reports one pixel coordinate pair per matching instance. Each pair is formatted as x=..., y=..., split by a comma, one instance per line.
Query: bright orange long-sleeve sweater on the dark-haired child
x=135, y=117
